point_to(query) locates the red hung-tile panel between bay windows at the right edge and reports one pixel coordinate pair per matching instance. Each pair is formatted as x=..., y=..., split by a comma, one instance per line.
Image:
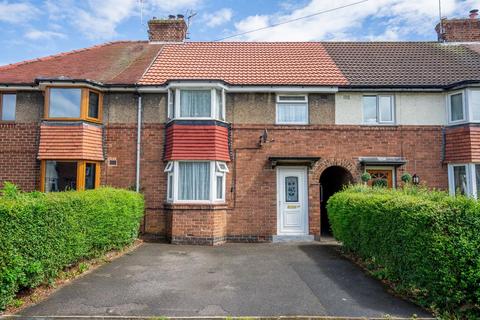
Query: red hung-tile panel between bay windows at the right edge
x=462, y=144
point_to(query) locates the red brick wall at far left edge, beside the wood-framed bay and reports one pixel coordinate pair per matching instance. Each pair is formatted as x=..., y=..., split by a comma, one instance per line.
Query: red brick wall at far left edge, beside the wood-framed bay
x=18, y=153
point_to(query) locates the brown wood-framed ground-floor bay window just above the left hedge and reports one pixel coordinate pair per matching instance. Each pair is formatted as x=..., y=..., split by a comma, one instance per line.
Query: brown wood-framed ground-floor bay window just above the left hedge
x=65, y=175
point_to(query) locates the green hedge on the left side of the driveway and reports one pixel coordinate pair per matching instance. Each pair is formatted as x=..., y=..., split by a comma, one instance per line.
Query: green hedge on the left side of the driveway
x=40, y=234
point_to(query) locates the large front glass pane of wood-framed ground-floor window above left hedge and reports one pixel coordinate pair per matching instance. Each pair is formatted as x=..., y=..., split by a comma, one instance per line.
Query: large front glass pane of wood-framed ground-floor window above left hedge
x=60, y=176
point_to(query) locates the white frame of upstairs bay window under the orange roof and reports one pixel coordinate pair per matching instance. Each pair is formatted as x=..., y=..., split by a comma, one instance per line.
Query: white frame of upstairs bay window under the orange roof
x=173, y=105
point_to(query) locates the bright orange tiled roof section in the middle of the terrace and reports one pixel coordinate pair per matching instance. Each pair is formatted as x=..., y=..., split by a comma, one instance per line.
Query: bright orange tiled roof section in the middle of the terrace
x=246, y=63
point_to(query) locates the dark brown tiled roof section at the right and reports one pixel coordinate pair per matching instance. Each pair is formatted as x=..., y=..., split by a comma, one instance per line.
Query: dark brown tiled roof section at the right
x=408, y=64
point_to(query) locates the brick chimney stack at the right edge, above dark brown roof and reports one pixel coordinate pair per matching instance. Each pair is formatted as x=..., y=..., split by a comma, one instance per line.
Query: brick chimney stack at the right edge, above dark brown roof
x=459, y=30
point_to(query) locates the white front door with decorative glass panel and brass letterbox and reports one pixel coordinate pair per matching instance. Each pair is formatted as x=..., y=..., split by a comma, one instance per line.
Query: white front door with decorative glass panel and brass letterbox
x=292, y=210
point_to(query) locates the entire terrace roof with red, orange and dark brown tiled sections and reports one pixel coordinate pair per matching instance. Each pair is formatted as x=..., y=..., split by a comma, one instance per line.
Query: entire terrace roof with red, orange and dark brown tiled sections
x=343, y=64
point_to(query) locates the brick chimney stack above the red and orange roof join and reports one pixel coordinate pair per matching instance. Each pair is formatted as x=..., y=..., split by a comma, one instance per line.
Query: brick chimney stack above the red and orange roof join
x=173, y=29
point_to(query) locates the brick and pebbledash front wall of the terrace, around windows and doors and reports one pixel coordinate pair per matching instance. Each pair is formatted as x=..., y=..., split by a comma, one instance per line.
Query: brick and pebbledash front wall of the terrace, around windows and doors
x=250, y=212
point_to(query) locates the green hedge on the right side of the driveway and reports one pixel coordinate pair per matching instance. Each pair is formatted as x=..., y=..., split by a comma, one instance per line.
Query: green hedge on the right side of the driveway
x=426, y=243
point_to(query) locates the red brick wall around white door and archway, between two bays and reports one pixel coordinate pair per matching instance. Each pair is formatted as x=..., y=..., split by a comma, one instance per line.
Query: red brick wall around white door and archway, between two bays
x=252, y=209
